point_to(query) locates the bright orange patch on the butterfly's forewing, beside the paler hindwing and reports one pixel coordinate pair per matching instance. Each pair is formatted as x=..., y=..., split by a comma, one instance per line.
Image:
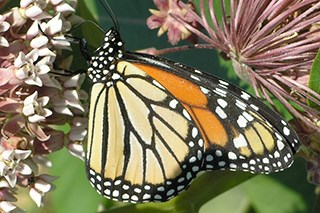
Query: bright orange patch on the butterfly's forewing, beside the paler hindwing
x=194, y=101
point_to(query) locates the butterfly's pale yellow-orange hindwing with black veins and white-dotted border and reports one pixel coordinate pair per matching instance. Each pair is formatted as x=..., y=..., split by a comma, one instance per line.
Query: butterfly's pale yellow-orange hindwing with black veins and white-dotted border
x=149, y=147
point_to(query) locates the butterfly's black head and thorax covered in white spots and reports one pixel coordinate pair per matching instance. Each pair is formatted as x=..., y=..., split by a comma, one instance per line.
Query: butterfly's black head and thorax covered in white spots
x=103, y=62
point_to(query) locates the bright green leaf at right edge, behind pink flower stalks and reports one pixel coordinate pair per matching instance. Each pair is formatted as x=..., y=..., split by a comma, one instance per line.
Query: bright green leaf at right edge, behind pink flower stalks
x=314, y=80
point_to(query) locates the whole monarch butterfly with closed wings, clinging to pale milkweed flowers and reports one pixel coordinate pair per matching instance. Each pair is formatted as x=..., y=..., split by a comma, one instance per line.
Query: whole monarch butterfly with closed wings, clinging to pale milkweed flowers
x=154, y=124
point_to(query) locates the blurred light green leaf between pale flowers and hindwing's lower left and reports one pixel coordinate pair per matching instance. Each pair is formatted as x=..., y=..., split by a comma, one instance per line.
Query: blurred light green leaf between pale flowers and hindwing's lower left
x=73, y=192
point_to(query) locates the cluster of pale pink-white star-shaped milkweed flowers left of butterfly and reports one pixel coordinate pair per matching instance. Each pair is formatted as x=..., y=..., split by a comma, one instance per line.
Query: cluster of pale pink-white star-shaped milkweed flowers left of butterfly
x=33, y=100
